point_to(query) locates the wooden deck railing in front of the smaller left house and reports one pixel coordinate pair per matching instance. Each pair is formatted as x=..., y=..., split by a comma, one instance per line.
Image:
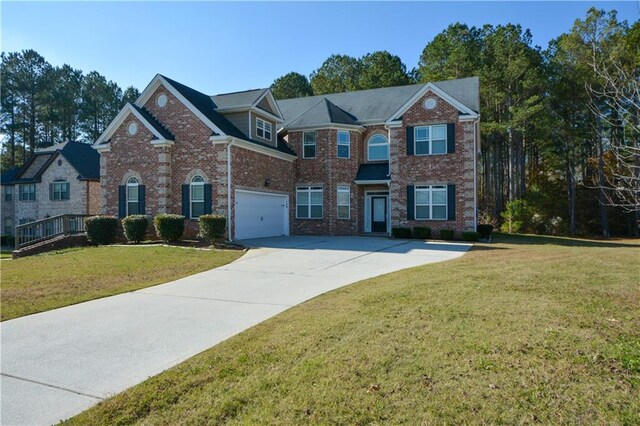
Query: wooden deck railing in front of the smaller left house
x=46, y=229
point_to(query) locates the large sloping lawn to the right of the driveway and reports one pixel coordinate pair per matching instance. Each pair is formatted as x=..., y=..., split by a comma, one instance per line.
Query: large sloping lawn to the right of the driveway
x=525, y=330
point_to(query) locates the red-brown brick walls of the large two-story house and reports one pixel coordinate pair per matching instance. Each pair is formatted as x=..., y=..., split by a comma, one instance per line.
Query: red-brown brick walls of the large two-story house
x=163, y=170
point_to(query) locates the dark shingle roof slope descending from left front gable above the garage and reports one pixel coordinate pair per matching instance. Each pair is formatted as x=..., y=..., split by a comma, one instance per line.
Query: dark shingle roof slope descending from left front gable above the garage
x=205, y=105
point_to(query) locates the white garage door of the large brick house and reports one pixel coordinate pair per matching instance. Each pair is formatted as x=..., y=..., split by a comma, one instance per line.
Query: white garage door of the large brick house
x=259, y=215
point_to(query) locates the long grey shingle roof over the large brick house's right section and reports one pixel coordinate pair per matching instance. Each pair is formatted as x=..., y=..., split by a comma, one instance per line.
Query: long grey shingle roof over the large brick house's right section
x=380, y=104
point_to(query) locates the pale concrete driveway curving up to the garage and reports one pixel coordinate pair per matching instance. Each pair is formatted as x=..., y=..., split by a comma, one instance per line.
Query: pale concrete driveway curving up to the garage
x=59, y=363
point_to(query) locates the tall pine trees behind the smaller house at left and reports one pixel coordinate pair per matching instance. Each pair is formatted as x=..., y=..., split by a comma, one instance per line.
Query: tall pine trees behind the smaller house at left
x=43, y=104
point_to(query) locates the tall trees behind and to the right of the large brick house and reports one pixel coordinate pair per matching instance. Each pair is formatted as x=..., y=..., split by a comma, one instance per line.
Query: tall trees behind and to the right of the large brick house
x=560, y=129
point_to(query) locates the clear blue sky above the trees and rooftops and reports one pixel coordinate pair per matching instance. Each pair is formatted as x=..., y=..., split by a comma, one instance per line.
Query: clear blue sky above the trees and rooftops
x=222, y=47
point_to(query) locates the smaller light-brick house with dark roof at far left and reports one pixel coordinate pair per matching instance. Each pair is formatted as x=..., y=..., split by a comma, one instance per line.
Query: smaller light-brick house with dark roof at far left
x=61, y=179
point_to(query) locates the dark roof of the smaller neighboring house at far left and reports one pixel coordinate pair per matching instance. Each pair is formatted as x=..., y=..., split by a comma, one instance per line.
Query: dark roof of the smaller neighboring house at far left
x=81, y=156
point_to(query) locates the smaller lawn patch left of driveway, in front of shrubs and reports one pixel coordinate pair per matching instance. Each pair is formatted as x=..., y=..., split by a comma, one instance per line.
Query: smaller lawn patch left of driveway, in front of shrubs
x=48, y=281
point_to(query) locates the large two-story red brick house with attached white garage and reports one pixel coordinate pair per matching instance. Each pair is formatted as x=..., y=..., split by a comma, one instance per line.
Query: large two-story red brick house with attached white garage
x=339, y=164
